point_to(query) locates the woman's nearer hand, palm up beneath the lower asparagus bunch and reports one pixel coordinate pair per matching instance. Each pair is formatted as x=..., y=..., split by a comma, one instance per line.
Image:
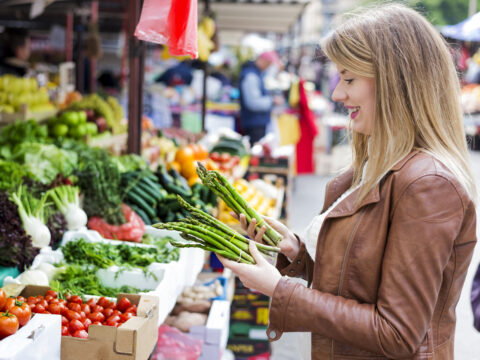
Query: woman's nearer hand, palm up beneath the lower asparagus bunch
x=262, y=276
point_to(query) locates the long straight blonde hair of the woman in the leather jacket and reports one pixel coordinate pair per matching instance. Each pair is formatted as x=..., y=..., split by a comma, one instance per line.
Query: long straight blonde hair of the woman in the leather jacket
x=417, y=92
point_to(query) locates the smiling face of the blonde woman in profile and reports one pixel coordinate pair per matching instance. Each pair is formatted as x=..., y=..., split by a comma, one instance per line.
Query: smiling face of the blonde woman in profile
x=357, y=93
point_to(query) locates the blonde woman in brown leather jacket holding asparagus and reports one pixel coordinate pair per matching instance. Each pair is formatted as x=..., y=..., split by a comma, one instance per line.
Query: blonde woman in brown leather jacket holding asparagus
x=387, y=257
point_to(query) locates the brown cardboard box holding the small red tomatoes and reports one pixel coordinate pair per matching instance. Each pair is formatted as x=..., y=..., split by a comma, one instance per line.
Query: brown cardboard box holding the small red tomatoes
x=133, y=340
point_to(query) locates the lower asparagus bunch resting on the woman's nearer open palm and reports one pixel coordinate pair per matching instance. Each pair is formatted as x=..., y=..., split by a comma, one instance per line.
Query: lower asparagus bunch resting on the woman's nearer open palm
x=204, y=231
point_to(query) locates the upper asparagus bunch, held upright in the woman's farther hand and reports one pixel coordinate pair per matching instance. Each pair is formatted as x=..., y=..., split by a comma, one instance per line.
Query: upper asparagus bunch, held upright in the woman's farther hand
x=222, y=187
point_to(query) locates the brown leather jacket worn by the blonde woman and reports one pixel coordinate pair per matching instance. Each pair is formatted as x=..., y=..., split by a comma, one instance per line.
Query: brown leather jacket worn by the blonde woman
x=388, y=273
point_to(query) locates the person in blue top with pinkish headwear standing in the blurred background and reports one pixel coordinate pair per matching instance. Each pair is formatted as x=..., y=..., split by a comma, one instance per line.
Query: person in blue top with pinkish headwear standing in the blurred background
x=255, y=102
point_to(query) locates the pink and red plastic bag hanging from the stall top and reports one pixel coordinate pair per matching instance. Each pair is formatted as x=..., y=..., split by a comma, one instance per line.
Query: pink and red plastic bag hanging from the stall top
x=172, y=23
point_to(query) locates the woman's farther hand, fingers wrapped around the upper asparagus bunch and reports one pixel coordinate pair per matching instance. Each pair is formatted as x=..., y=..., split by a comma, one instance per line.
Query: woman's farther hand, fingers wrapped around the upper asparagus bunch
x=289, y=246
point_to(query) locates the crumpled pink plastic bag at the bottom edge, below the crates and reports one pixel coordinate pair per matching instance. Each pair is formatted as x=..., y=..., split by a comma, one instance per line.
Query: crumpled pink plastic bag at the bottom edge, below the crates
x=173, y=345
